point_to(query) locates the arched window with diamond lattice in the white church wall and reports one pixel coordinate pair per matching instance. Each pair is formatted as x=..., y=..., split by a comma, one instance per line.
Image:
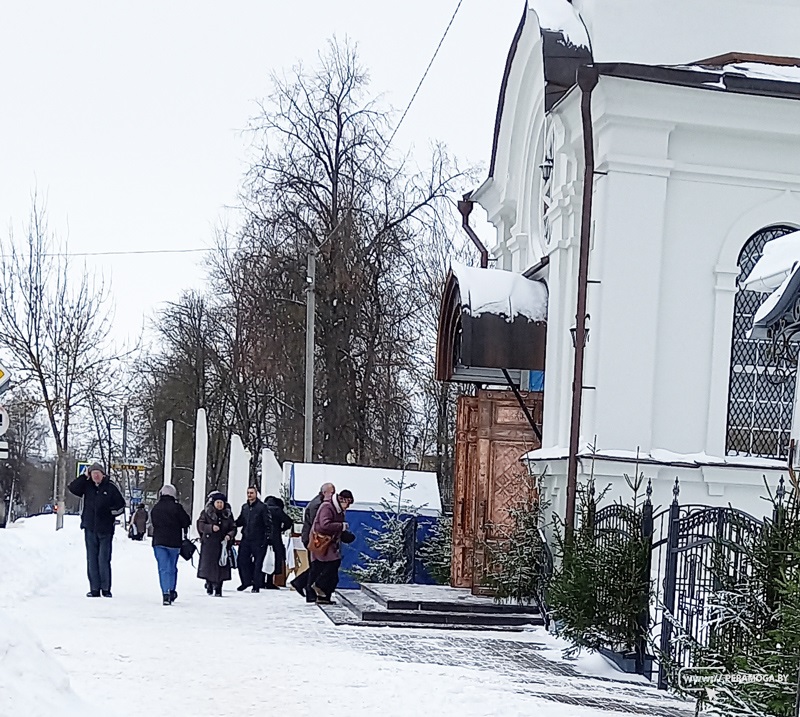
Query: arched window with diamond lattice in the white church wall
x=760, y=399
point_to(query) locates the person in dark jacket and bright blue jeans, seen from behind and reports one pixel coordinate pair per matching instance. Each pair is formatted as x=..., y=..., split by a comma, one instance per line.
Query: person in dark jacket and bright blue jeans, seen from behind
x=170, y=523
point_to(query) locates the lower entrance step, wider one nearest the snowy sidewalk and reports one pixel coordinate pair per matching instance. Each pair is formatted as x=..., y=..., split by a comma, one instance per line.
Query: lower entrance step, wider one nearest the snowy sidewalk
x=369, y=610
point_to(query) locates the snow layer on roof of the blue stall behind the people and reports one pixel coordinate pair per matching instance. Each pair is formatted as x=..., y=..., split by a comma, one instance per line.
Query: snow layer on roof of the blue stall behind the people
x=368, y=485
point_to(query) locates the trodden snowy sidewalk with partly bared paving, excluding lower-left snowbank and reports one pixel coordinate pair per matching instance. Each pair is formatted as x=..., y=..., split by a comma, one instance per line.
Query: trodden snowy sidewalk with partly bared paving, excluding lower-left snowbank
x=250, y=654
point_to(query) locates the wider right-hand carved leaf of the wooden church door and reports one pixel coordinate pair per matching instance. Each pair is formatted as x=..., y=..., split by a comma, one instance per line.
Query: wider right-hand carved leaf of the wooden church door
x=503, y=436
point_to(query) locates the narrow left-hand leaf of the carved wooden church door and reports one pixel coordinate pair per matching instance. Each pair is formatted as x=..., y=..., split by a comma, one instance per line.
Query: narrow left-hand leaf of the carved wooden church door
x=465, y=481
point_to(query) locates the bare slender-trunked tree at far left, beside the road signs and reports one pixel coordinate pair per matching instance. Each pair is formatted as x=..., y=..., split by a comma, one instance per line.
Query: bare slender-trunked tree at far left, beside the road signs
x=54, y=329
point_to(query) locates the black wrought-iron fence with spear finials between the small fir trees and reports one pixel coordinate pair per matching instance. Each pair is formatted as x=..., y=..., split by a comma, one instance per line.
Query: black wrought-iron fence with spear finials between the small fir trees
x=686, y=550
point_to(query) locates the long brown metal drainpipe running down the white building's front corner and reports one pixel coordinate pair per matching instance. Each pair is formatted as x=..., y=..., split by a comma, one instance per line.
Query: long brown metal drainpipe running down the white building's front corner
x=587, y=81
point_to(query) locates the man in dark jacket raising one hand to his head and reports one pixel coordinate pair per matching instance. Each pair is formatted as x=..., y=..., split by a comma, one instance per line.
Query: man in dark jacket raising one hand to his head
x=102, y=503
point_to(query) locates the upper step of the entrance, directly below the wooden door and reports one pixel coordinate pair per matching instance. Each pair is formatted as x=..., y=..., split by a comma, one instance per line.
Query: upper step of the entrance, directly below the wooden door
x=436, y=598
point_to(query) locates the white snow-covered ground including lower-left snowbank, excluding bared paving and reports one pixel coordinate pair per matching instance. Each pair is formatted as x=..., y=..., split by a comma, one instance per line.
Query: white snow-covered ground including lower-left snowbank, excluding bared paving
x=62, y=653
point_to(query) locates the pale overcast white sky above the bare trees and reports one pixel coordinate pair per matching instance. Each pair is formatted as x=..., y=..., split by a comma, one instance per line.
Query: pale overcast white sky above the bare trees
x=128, y=115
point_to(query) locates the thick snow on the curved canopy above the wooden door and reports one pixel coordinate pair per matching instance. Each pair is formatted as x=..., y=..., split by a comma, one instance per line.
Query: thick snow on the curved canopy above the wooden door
x=504, y=293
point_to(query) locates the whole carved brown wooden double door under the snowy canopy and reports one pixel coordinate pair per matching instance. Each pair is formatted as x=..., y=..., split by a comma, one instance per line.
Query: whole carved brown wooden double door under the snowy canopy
x=492, y=433
